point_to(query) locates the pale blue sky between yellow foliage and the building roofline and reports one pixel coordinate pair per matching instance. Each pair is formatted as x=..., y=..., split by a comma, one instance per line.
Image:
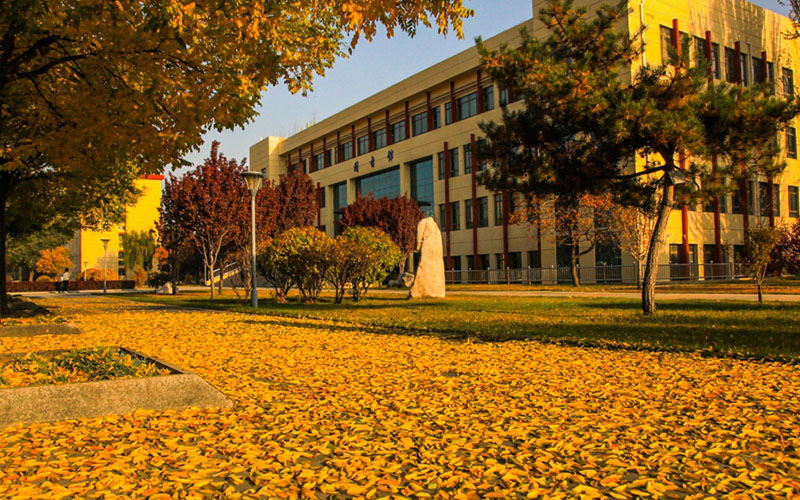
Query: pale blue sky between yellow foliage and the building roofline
x=371, y=68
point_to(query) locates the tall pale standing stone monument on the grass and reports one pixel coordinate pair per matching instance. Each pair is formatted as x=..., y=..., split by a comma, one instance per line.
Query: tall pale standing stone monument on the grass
x=429, y=280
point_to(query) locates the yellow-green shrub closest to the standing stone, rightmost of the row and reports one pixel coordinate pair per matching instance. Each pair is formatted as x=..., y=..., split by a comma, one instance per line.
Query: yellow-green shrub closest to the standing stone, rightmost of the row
x=384, y=255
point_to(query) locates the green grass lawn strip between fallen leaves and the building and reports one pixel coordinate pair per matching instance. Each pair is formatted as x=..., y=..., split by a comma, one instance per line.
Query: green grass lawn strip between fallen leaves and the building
x=725, y=328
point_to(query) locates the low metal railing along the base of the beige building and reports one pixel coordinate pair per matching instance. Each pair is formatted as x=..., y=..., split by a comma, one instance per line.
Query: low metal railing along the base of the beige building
x=599, y=274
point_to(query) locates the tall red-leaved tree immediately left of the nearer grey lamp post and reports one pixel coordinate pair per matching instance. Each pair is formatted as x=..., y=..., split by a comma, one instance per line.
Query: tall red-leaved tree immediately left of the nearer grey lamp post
x=212, y=201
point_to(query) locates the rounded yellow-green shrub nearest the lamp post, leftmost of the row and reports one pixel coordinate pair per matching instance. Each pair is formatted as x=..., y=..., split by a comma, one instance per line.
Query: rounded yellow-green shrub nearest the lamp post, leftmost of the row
x=300, y=256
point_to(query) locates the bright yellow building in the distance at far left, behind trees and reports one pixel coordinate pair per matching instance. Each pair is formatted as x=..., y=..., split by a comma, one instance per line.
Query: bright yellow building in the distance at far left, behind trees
x=86, y=247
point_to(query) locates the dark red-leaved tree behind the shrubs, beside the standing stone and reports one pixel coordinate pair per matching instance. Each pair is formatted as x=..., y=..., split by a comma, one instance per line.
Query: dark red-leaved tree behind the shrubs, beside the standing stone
x=397, y=217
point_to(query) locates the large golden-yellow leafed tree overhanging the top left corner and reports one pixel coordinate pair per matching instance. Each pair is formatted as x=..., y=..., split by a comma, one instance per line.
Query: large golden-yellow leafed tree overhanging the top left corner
x=91, y=92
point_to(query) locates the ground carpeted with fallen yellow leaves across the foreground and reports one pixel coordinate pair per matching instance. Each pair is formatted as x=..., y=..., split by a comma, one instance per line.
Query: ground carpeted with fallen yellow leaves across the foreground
x=327, y=411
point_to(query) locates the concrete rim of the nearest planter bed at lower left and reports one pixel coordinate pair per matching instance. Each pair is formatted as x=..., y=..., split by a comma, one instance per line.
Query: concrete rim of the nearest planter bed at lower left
x=45, y=403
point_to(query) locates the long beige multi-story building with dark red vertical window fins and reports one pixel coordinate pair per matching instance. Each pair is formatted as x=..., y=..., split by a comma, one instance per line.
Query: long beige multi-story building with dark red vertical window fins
x=417, y=137
